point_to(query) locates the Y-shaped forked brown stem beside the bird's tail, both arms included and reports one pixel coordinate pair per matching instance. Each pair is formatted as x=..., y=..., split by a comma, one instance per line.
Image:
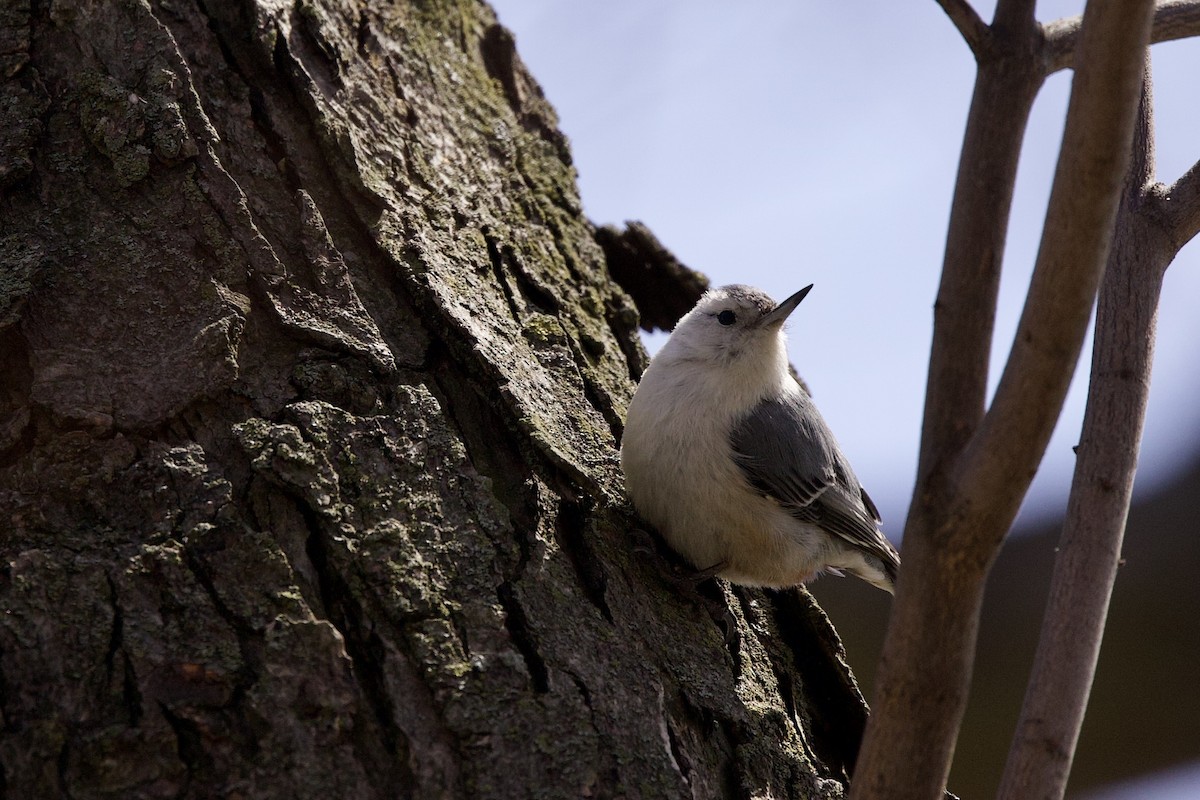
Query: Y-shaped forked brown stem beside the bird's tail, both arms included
x=964, y=504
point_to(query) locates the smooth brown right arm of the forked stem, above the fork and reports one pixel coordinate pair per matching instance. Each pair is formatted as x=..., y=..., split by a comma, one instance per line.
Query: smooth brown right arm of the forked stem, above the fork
x=1071, y=261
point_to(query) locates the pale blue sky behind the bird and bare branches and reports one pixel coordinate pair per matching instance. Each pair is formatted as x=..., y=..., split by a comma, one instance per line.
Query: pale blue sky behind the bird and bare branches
x=781, y=145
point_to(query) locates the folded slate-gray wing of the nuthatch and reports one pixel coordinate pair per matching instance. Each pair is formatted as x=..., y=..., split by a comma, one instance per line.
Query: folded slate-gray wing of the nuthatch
x=788, y=453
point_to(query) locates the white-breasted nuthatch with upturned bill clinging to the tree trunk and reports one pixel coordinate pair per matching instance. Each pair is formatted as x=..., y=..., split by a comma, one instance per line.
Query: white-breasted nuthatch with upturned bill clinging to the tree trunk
x=728, y=456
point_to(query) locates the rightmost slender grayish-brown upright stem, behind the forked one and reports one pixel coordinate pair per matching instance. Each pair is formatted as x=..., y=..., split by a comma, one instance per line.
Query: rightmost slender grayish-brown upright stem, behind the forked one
x=1090, y=549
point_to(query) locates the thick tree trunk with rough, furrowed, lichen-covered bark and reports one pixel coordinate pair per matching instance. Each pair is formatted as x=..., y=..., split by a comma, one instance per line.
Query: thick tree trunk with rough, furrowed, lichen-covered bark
x=311, y=381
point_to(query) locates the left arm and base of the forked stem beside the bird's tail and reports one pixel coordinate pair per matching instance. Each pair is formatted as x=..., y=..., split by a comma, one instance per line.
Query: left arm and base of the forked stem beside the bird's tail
x=933, y=627
